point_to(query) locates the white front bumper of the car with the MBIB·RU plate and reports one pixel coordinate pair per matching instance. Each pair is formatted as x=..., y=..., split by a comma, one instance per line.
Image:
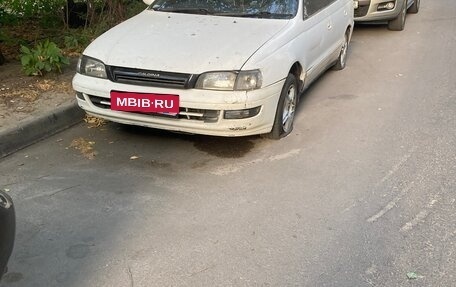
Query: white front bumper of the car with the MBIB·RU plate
x=94, y=98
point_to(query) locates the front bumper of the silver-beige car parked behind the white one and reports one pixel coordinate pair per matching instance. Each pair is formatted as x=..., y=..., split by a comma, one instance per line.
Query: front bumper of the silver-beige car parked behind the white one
x=367, y=11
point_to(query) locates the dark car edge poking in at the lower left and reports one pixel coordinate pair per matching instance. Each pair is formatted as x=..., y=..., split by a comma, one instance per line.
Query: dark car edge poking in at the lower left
x=7, y=230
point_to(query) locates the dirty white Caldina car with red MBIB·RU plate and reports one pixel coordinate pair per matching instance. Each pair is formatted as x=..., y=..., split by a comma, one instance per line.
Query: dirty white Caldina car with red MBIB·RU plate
x=217, y=67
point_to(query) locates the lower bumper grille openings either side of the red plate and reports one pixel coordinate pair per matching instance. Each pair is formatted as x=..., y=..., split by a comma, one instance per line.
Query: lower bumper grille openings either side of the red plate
x=208, y=116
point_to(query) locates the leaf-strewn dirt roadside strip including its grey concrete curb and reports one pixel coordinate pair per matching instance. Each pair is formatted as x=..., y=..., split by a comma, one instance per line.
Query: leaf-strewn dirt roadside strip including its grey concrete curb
x=32, y=108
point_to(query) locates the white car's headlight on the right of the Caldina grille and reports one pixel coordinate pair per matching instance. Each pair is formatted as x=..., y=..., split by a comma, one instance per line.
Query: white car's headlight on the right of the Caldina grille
x=230, y=81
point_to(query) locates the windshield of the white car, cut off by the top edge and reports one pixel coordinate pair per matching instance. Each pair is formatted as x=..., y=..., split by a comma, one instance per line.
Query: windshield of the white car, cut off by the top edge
x=273, y=9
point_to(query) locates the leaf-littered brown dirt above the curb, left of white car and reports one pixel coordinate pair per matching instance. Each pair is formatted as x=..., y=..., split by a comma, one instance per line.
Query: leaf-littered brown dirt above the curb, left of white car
x=22, y=97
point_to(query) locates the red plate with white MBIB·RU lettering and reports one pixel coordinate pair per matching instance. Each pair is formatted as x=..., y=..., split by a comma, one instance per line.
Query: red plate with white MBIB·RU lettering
x=145, y=102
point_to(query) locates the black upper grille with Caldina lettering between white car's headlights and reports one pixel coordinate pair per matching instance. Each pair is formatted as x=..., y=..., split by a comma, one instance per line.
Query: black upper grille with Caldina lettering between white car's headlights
x=151, y=78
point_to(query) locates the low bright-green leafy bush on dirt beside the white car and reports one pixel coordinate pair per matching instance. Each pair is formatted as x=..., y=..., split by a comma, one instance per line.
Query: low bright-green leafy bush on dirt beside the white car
x=45, y=57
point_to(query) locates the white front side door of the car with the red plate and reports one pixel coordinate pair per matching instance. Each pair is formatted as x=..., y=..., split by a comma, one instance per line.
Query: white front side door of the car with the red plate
x=316, y=20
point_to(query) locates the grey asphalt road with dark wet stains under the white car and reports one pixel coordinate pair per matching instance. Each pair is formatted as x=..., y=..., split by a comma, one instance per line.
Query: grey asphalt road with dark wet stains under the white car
x=360, y=194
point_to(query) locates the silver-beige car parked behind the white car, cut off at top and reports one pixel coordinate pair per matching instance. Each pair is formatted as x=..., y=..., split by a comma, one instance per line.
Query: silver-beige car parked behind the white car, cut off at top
x=394, y=11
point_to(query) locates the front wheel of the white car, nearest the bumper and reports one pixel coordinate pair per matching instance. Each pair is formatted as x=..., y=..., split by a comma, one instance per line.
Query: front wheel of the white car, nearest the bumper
x=286, y=107
